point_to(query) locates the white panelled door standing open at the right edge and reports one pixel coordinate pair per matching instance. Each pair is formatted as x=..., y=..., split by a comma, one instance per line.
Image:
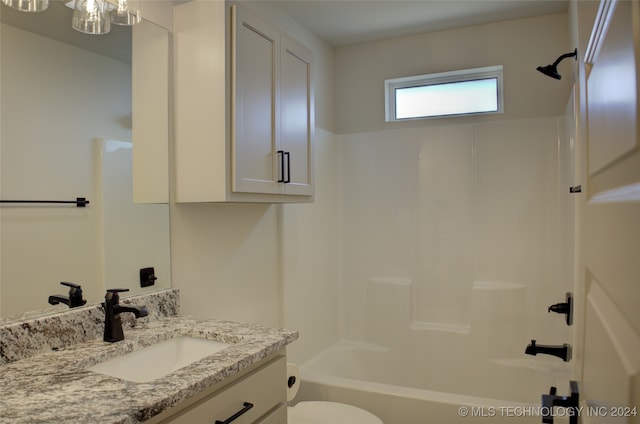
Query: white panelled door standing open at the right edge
x=608, y=285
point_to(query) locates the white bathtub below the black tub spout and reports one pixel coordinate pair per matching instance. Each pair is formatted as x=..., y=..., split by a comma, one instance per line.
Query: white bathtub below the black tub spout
x=405, y=388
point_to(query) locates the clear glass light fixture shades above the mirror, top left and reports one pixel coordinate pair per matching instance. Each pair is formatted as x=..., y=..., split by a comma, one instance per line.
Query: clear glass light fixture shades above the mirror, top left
x=89, y=16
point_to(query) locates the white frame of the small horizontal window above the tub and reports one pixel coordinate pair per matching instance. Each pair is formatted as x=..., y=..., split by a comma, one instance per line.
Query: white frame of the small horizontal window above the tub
x=459, y=76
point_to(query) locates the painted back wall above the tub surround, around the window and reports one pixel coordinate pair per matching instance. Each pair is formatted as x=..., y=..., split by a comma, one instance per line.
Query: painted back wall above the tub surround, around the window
x=519, y=45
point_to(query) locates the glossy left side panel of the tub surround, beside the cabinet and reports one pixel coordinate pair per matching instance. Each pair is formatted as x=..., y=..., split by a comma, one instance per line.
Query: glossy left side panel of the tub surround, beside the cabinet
x=311, y=257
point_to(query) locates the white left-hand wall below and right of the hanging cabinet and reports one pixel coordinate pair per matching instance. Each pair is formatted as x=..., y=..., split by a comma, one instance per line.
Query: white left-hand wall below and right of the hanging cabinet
x=270, y=264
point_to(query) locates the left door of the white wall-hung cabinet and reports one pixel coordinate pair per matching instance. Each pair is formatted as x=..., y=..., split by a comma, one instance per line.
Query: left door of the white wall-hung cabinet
x=255, y=64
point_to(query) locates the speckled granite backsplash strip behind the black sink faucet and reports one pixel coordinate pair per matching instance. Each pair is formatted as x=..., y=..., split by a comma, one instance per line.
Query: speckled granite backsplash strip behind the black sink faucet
x=31, y=336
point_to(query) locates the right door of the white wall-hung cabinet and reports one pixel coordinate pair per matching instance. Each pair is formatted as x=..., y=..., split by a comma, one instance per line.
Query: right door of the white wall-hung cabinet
x=296, y=117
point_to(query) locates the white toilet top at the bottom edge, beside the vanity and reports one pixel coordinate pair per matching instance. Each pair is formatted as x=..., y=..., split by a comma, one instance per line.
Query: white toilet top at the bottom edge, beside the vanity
x=320, y=412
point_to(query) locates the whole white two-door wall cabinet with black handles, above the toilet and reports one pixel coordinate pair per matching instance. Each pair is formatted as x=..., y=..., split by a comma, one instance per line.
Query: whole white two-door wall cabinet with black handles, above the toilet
x=244, y=108
